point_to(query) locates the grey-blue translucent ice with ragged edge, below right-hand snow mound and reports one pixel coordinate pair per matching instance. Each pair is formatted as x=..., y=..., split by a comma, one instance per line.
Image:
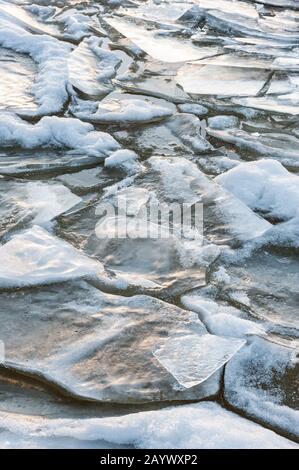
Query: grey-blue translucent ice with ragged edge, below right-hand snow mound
x=270, y=281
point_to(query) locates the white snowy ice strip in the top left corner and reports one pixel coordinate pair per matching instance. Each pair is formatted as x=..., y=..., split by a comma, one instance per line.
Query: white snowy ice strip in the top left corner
x=22, y=17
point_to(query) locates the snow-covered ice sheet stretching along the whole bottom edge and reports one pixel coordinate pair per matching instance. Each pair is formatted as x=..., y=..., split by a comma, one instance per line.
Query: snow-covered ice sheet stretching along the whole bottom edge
x=197, y=426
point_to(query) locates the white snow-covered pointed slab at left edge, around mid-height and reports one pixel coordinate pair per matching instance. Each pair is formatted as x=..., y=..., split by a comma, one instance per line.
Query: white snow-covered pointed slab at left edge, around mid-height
x=36, y=257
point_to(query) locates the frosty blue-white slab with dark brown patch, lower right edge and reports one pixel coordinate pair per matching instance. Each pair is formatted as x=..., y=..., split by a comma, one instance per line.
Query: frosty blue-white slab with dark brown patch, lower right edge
x=261, y=382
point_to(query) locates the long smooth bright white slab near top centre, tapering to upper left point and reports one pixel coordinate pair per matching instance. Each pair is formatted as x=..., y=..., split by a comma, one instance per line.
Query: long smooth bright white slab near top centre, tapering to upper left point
x=161, y=48
